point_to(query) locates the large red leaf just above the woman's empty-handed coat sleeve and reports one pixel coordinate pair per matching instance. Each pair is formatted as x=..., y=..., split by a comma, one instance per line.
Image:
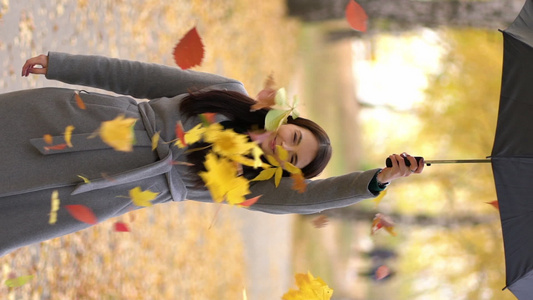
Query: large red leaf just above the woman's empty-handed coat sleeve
x=189, y=51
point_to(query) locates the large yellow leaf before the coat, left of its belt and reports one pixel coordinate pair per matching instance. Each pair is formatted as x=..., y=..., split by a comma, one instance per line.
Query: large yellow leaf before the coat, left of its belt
x=118, y=133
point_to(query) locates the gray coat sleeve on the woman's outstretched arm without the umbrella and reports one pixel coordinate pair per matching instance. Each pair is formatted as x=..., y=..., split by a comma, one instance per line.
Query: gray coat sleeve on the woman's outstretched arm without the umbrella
x=137, y=79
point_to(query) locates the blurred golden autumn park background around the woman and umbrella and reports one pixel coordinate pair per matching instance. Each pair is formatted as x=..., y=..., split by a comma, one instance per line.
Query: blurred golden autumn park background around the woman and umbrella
x=424, y=78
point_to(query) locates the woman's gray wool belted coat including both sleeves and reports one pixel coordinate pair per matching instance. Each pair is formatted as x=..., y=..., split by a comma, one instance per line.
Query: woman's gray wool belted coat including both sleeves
x=29, y=173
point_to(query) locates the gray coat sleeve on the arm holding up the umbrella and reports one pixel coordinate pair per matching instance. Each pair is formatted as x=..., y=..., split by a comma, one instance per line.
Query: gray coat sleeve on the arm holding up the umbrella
x=321, y=194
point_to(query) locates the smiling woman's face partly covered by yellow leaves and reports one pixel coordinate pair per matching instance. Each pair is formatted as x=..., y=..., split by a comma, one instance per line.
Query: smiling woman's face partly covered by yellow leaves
x=301, y=144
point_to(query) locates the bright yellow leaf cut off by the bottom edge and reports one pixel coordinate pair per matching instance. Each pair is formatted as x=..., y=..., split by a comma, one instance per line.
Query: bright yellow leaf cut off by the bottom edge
x=310, y=288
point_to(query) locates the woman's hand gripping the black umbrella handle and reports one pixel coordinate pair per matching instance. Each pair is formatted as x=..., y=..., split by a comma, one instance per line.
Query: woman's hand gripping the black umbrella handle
x=399, y=168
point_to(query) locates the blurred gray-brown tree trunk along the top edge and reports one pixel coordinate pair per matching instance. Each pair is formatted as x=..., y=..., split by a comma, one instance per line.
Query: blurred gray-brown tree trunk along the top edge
x=406, y=14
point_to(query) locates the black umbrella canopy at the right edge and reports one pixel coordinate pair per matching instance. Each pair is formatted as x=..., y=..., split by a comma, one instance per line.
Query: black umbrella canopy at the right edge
x=512, y=154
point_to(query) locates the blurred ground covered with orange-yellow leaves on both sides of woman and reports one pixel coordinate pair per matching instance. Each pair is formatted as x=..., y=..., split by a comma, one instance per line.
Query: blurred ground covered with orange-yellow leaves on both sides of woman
x=176, y=251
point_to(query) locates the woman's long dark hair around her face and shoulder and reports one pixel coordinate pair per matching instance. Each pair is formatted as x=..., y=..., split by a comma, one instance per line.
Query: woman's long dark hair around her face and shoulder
x=236, y=107
